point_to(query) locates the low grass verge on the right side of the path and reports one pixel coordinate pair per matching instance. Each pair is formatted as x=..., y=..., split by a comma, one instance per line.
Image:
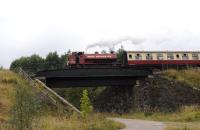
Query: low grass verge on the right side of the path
x=188, y=118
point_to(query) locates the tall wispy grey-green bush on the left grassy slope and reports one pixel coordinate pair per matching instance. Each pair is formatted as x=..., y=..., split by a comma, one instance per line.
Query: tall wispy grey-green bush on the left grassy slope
x=25, y=108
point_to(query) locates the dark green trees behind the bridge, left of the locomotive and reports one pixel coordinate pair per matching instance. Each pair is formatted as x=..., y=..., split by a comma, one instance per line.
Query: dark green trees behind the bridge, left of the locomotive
x=36, y=63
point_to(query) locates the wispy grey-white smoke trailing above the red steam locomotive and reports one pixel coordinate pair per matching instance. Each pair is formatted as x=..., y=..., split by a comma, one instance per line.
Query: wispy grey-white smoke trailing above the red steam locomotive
x=110, y=44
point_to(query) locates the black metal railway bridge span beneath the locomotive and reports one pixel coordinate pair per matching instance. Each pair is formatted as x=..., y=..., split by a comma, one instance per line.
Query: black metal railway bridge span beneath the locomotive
x=92, y=77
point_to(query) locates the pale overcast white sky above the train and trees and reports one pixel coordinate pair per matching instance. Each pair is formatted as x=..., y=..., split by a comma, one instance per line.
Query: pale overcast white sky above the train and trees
x=39, y=26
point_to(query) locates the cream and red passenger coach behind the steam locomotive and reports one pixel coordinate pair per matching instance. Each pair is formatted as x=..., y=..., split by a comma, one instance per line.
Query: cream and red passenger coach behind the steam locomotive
x=156, y=58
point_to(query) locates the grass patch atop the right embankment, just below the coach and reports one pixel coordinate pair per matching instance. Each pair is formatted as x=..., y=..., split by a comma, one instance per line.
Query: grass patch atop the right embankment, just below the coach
x=189, y=76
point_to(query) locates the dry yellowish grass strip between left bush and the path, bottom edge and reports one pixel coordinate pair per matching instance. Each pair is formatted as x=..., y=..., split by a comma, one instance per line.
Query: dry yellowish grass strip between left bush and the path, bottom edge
x=92, y=122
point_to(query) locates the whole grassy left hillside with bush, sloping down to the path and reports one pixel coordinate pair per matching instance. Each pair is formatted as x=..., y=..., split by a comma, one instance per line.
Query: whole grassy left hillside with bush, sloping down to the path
x=37, y=112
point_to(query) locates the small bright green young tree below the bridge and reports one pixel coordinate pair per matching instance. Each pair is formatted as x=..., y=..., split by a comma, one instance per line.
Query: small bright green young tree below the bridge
x=86, y=106
